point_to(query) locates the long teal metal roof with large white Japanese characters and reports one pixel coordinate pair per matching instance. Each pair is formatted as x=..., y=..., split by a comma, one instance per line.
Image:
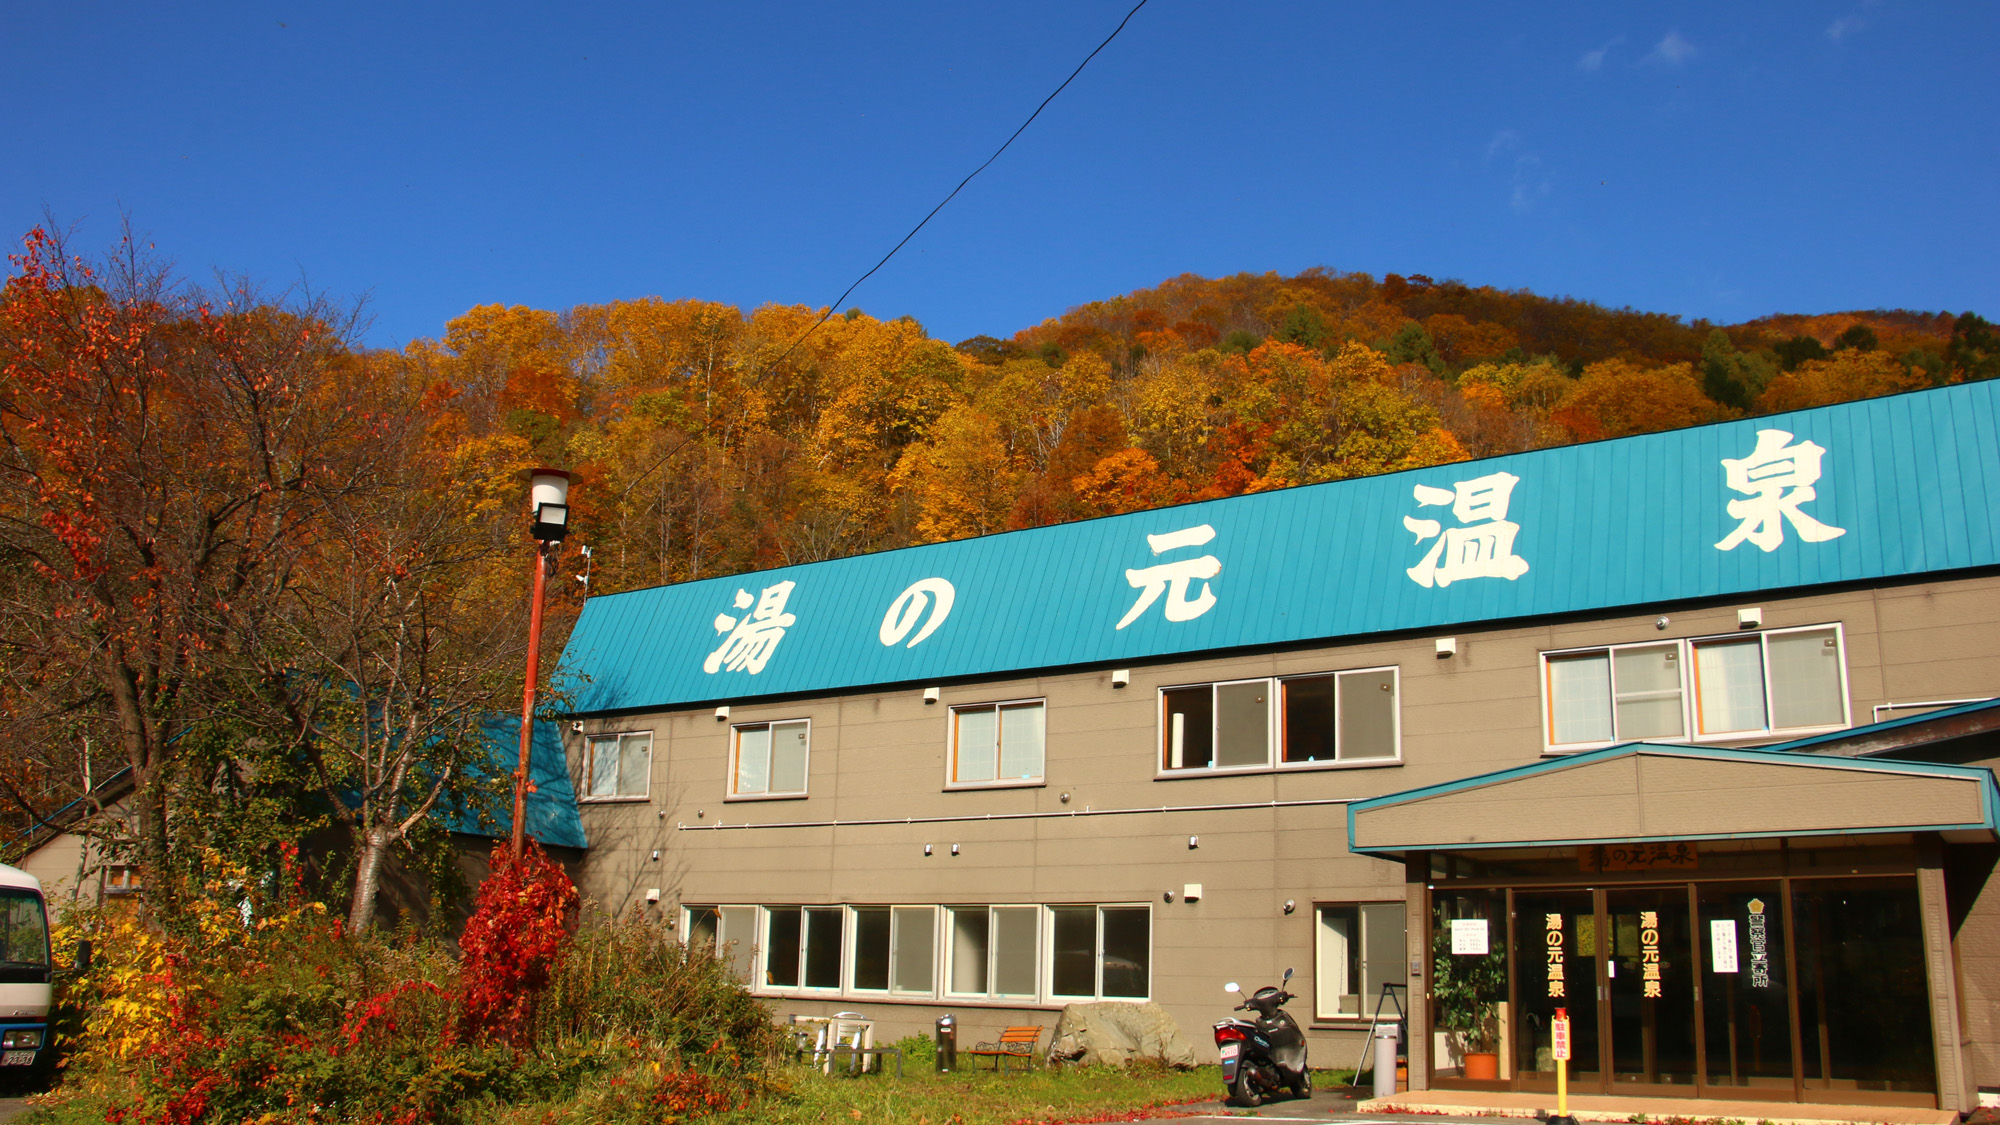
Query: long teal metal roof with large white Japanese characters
x=1859, y=491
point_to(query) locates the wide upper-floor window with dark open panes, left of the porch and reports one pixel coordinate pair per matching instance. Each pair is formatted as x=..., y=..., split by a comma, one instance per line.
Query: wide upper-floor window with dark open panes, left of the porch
x=1299, y=722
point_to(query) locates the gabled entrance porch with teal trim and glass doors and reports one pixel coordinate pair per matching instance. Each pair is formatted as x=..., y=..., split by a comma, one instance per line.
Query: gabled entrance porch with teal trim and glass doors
x=1717, y=924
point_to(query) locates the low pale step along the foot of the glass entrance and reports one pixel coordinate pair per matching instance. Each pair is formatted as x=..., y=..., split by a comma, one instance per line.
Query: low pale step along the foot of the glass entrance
x=1681, y=1110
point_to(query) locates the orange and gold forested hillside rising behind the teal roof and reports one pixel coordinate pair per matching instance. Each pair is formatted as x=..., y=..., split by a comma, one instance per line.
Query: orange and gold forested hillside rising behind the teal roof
x=711, y=441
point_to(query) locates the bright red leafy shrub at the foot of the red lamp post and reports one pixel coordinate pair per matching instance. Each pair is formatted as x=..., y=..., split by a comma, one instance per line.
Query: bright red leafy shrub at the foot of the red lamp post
x=513, y=946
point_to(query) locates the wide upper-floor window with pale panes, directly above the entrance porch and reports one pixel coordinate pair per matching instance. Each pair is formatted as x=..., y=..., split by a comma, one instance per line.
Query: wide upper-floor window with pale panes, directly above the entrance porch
x=1719, y=688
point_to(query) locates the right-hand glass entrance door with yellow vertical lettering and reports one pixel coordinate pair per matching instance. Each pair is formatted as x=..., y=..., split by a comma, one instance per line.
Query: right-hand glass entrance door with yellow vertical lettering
x=1649, y=982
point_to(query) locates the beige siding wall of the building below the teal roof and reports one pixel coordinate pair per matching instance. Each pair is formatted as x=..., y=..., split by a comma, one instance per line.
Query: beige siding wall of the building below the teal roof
x=883, y=758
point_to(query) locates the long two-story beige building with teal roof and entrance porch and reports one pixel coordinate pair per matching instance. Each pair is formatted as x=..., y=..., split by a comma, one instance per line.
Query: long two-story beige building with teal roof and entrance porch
x=1681, y=734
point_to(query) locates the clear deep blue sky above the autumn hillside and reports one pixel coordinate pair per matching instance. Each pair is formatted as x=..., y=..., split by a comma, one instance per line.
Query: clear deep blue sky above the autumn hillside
x=1719, y=161
